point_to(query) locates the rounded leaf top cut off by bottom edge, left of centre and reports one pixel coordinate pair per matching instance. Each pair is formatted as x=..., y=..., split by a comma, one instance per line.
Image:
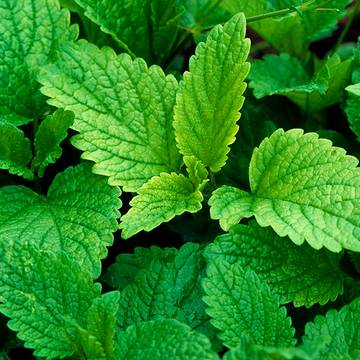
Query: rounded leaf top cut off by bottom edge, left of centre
x=165, y=339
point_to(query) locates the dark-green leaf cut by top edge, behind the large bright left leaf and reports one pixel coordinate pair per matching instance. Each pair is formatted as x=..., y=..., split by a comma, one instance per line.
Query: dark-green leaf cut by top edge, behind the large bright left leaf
x=147, y=28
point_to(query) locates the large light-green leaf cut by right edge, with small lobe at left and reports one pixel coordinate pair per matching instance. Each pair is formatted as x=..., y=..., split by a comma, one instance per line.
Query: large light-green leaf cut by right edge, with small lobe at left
x=302, y=187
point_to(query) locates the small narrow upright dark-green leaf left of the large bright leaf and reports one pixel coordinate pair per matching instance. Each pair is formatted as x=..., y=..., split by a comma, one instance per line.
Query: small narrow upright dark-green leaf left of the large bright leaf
x=51, y=132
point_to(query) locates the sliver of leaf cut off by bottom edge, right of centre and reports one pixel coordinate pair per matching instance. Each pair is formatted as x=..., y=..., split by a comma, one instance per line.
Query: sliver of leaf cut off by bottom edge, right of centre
x=247, y=350
